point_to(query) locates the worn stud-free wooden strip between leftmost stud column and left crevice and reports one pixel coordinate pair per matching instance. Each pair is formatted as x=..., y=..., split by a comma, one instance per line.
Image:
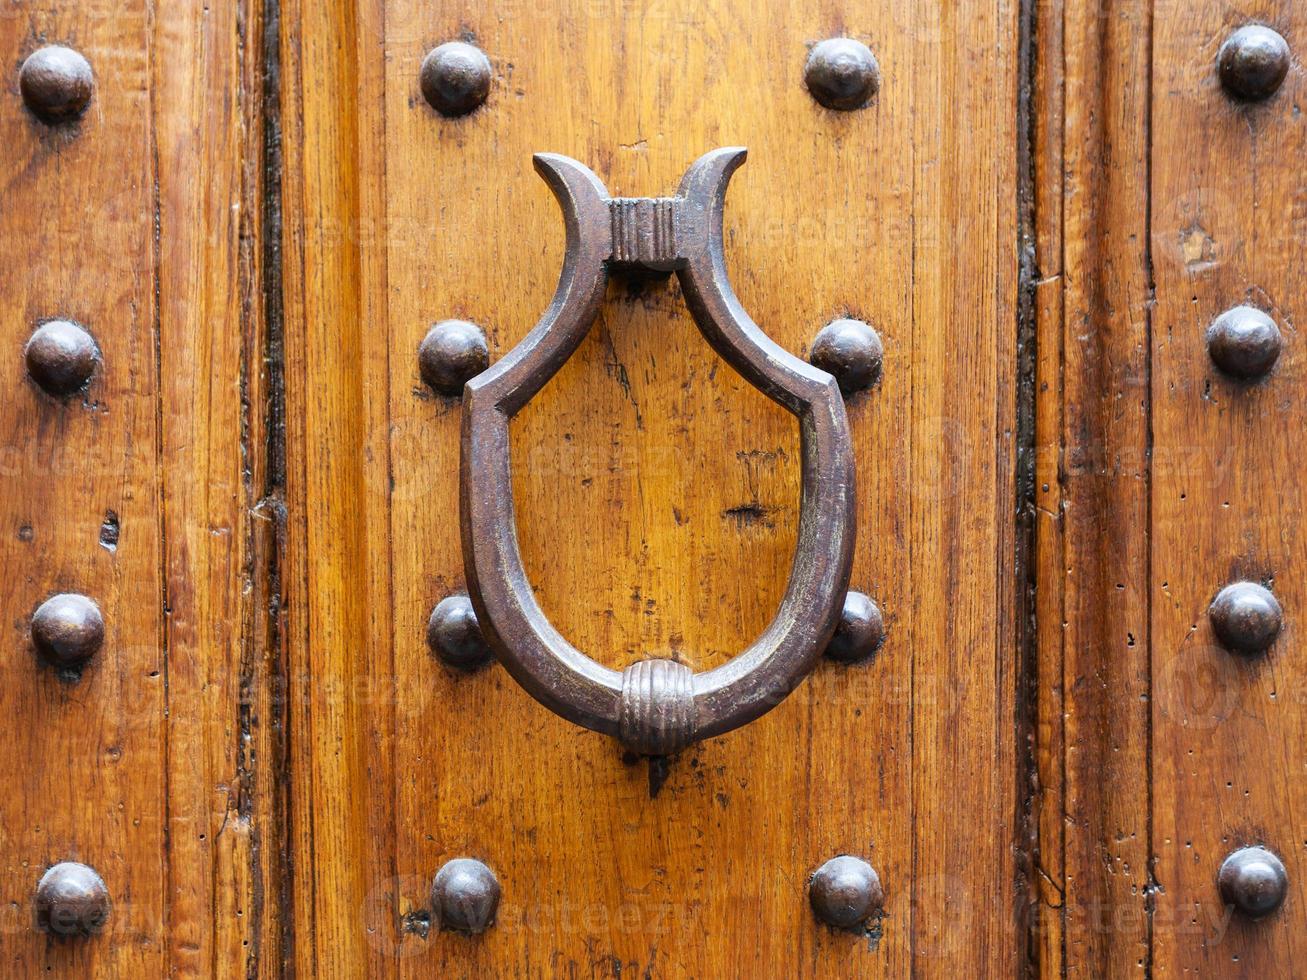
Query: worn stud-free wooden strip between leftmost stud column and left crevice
x=207, y=110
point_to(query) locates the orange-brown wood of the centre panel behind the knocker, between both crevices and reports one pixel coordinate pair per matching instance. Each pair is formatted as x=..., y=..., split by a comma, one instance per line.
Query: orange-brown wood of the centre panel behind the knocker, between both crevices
x=657, y=492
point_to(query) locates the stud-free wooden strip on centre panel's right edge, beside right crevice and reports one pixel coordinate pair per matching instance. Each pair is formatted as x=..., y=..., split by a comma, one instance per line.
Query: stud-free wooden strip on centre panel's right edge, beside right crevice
x=965, y=629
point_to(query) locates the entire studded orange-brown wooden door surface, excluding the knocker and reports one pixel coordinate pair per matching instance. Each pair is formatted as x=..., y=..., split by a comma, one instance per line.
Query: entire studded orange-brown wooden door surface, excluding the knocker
x=257, y=220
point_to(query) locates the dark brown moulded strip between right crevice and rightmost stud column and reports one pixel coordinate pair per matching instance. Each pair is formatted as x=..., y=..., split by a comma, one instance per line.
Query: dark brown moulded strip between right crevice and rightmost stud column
x=1093, y=485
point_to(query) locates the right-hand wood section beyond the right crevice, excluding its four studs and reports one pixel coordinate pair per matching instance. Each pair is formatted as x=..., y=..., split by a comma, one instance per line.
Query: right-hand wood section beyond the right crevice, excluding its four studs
x=1161, y=203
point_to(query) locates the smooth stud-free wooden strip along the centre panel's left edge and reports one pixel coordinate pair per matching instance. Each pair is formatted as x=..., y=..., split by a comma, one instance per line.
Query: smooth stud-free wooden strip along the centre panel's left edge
x=338, y=559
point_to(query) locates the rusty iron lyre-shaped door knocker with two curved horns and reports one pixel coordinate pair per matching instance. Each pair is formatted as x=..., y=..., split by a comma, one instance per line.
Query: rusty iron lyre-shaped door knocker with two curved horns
x=655, y=708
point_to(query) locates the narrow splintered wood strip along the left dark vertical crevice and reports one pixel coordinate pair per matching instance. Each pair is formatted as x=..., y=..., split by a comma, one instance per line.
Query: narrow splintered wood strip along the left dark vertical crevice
x=263, y=725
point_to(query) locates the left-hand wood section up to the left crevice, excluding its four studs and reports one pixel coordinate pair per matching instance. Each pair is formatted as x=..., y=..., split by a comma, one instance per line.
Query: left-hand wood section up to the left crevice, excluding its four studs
x=141, y=223
